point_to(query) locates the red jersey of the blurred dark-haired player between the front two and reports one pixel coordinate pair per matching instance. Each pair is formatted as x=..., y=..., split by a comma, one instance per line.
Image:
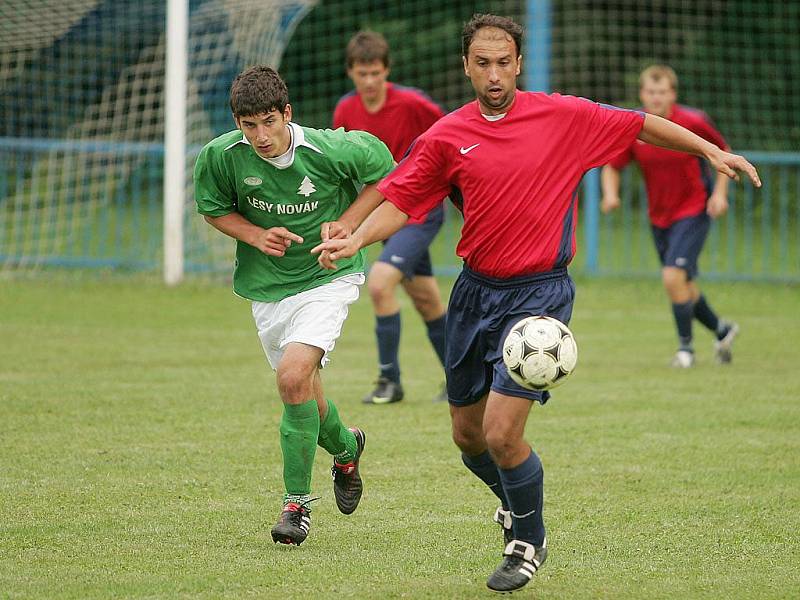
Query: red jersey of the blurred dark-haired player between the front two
x=406, y=113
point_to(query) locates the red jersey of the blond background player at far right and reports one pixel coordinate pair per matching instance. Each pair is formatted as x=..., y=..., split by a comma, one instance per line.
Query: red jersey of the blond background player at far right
x=678, y=184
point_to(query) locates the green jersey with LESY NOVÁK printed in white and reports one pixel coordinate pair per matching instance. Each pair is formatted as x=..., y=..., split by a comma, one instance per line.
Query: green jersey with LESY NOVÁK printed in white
x=318, y=185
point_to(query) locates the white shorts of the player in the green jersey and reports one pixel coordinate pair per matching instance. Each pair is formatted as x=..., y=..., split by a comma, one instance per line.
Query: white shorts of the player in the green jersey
x=314, y=317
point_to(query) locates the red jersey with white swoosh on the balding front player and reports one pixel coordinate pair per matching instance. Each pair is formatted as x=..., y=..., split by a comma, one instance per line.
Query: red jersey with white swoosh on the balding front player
x=518, y=176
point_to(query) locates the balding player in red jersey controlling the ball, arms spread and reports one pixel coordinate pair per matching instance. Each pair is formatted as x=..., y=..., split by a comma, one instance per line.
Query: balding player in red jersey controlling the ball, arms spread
x=517, y=159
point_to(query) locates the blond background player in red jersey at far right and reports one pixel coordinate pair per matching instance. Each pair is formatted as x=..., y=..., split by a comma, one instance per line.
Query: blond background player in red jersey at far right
x=682, y=200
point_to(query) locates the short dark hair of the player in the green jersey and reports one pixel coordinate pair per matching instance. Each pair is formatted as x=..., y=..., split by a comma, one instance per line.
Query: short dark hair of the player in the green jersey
x=258, y=90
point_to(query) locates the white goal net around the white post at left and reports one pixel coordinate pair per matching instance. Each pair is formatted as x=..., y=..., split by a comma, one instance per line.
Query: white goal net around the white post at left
x=82, y=123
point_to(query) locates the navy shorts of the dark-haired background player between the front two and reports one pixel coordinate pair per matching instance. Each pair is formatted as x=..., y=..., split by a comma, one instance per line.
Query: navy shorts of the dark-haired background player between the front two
x=407, y=250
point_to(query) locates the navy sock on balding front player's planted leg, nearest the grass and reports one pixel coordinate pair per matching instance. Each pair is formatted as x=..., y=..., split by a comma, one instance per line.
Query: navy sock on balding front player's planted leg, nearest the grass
x=524, y=486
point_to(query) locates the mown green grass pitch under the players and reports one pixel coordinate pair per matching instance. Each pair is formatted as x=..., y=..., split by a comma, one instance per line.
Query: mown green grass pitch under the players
x=139, y=456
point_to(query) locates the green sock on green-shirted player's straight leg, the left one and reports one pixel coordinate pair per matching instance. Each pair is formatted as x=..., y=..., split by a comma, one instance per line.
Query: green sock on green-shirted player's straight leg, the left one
x=299, y=431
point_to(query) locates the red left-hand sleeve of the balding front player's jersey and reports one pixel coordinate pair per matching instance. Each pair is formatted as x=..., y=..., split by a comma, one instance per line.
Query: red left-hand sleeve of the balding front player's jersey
x=419, y=182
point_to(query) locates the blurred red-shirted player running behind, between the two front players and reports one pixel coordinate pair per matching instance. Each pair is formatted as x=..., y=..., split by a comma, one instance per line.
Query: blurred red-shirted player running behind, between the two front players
x=396, y=115
